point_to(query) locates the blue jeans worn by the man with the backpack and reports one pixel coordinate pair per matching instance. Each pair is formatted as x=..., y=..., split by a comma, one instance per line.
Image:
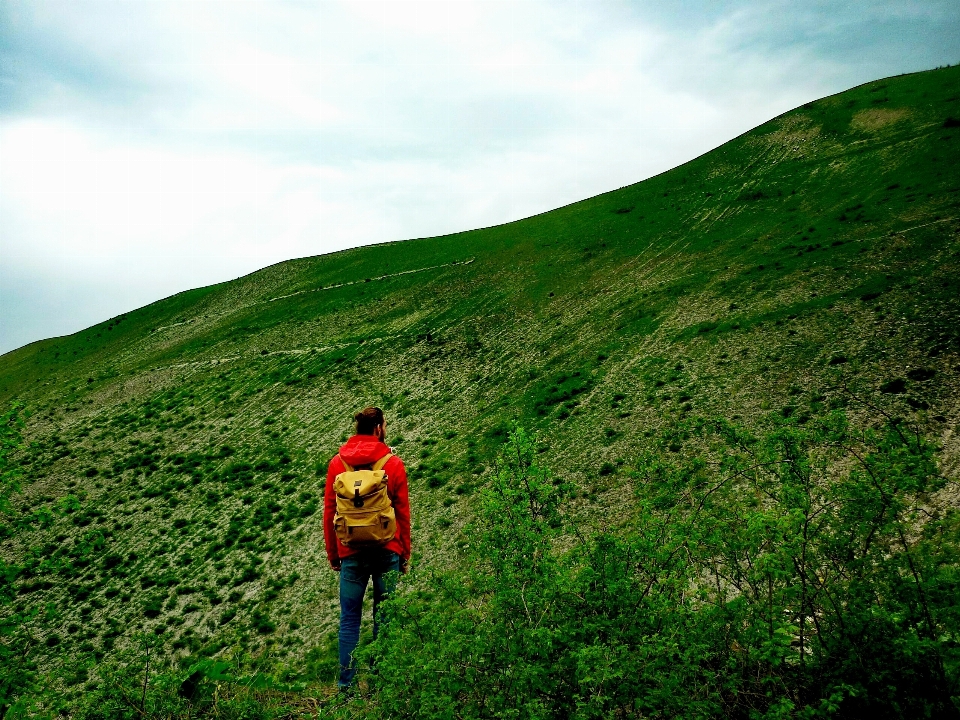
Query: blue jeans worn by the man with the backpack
x=355, y=573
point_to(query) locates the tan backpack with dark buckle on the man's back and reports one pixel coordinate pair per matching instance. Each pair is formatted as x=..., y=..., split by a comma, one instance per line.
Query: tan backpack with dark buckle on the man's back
x=364, y=515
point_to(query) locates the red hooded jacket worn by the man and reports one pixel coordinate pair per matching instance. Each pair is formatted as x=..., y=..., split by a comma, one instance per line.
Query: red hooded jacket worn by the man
x=364, y=450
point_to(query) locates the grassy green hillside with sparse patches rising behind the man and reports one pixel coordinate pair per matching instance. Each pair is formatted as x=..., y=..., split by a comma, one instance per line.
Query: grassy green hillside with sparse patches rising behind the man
x=176, y=458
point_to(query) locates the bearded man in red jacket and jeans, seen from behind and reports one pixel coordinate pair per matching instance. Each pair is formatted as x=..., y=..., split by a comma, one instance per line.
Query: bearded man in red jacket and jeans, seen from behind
x=357, y=565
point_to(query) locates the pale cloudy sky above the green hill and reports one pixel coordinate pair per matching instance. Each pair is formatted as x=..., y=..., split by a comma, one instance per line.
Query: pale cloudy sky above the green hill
x=152, y=146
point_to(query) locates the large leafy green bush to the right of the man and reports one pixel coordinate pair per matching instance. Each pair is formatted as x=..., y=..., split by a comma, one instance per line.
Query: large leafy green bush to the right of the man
x=787, y=575
